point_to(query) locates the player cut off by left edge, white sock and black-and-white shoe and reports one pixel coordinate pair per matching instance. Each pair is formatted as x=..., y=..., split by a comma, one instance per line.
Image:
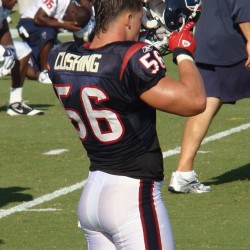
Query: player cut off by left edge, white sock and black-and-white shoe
x=13, y=60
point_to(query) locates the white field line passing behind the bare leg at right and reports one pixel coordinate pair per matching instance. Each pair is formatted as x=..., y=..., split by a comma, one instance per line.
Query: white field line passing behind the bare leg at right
x=210, y=138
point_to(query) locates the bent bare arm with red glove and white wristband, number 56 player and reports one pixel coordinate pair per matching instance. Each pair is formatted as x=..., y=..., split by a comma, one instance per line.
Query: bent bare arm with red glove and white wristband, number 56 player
x=191, y=98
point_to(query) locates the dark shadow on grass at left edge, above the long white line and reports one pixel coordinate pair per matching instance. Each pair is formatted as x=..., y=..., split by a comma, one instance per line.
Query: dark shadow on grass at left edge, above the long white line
x=12, y=194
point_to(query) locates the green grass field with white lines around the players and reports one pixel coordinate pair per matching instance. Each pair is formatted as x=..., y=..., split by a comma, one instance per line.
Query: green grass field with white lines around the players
x=39, y=192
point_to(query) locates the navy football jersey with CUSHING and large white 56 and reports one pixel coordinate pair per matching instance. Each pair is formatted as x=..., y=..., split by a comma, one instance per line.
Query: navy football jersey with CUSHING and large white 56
x=100, y=90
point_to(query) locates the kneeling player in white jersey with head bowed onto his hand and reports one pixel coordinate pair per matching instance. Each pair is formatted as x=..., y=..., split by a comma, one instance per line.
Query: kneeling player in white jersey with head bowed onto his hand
x=40, y=23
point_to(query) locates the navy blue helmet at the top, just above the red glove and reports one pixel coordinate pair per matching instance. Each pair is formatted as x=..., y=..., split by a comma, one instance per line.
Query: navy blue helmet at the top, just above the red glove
x=178, y=12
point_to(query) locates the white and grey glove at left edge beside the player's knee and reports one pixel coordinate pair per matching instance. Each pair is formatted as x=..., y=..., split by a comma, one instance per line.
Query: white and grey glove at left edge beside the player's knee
x=7, y=59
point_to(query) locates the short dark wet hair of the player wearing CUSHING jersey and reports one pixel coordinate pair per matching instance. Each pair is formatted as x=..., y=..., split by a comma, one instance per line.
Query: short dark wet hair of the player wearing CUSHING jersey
x=107, y=10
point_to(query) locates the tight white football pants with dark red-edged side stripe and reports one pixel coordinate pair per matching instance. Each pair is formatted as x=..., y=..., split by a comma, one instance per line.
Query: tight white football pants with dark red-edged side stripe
x=122, y=213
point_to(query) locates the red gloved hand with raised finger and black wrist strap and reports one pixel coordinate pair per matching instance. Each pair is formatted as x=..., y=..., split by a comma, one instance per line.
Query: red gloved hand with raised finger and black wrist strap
x=182, y=42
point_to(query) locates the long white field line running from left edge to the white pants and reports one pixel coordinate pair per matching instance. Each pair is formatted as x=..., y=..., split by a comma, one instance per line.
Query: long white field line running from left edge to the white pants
x=24, y=206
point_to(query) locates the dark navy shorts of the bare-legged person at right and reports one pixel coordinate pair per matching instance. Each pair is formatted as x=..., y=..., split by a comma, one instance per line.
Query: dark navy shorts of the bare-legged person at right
x=228, y=83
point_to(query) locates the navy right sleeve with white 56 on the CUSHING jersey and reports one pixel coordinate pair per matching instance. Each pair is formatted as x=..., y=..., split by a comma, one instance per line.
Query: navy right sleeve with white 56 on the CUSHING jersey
x=144, y=70
